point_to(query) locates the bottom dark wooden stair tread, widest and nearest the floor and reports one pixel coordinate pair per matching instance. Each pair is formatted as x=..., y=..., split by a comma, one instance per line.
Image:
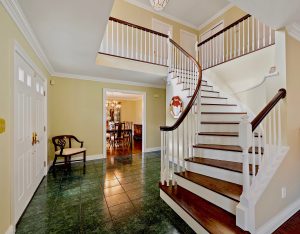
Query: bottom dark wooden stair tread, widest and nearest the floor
x=211, y=217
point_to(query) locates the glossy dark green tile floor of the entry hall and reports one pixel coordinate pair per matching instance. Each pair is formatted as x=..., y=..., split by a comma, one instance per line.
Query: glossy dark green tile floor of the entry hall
x=120, y=195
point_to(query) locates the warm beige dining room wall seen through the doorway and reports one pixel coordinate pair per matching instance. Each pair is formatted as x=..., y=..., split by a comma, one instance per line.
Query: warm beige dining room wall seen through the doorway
x=131, y=111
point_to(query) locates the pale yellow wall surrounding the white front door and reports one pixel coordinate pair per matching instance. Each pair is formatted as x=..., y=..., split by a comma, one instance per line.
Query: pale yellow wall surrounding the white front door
x=8, y=34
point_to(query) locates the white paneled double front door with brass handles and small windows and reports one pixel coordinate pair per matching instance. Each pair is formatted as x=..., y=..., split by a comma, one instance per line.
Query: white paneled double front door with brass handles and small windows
x=29, y=134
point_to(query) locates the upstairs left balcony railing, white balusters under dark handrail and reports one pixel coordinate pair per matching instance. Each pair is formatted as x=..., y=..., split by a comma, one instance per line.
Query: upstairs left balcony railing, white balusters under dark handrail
x=131, y=41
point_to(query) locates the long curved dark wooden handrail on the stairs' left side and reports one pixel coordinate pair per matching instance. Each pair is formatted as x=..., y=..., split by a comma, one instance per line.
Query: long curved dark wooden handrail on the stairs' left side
x=194, y=97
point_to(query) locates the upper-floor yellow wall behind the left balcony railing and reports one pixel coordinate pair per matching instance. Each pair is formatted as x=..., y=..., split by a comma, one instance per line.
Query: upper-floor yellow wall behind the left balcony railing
x=133, y=14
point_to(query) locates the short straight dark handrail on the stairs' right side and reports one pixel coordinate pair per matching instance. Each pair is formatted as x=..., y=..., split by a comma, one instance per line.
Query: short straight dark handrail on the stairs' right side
x=260, y=117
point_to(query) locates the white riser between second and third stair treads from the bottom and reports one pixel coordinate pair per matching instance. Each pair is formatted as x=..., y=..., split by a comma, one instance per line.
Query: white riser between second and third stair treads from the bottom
x=222, y=174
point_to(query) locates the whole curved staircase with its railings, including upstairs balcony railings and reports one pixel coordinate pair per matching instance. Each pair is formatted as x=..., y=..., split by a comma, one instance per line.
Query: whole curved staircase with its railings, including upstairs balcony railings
x=215, y=162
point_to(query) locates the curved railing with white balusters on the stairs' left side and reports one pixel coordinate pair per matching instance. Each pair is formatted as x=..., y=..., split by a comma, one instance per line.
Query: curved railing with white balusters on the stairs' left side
x=177, y=140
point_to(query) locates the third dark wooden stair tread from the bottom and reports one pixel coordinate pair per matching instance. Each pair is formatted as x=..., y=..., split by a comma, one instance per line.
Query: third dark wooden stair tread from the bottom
x=227, y=165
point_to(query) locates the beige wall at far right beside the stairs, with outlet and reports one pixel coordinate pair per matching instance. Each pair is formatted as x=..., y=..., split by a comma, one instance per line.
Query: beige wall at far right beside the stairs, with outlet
x=288, y=174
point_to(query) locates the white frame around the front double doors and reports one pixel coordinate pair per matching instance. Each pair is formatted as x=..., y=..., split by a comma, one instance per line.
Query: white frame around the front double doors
x=19, y=51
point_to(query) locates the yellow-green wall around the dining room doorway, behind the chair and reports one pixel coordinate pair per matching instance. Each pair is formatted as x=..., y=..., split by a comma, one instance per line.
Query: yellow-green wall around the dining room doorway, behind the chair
x=76, y=107
